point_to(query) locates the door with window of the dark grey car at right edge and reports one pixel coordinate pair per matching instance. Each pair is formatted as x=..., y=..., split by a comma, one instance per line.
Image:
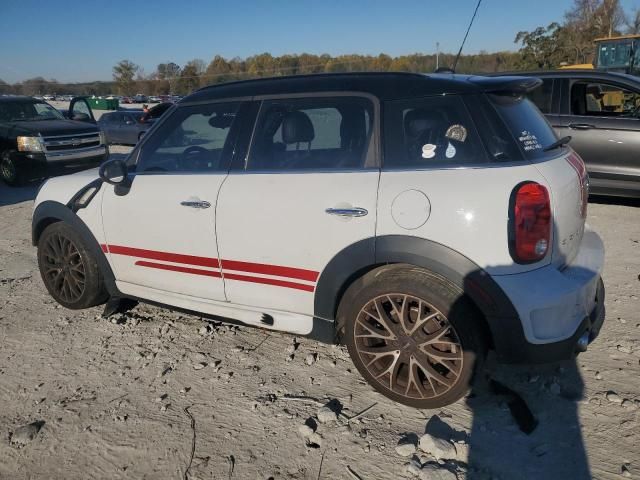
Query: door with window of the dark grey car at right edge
x=602, y=119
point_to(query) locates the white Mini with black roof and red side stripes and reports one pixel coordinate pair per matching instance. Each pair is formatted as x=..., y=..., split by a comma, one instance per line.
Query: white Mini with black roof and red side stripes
x=422, y=220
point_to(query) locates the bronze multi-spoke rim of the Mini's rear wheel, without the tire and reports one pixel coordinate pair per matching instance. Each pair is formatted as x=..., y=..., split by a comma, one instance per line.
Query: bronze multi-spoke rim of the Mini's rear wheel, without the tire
x=408, y=346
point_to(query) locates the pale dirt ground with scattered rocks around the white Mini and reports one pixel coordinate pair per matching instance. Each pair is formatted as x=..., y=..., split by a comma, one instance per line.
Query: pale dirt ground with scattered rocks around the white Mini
x=154, y=394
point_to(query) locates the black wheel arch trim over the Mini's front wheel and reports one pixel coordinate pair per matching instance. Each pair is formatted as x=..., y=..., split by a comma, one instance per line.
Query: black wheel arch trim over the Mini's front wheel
x=49, y=212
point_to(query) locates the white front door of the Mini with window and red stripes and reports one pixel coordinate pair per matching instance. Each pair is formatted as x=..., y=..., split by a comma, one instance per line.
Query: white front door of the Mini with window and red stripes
x=160, y=232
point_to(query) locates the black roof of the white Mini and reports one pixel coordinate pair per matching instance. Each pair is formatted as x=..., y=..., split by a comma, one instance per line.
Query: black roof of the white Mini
x=384, y=85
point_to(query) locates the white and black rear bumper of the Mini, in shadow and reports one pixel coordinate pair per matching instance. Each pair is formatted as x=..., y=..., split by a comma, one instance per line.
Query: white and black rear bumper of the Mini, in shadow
x=560, y=311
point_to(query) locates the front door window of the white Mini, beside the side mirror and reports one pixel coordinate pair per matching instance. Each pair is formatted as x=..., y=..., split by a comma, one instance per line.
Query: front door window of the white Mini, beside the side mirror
x=193, y=139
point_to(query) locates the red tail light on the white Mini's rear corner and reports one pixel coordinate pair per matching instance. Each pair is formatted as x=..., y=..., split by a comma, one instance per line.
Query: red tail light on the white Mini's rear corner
x=530, y=223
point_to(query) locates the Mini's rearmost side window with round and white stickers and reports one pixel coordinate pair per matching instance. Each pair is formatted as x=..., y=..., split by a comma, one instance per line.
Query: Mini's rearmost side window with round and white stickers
x=430, y=132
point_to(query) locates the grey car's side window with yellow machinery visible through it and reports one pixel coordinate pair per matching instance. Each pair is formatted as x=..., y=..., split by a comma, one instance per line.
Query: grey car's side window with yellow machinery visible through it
x=603, y=100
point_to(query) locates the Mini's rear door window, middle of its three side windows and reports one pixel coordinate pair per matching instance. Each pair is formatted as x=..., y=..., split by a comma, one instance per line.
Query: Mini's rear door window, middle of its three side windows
x=313, y=133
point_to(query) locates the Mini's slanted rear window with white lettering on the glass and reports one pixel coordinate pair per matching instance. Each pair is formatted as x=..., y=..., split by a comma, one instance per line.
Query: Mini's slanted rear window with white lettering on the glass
x=526, y=123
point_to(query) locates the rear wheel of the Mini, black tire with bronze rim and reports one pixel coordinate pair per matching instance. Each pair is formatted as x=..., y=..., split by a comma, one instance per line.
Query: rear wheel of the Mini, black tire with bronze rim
x=405, y=360
